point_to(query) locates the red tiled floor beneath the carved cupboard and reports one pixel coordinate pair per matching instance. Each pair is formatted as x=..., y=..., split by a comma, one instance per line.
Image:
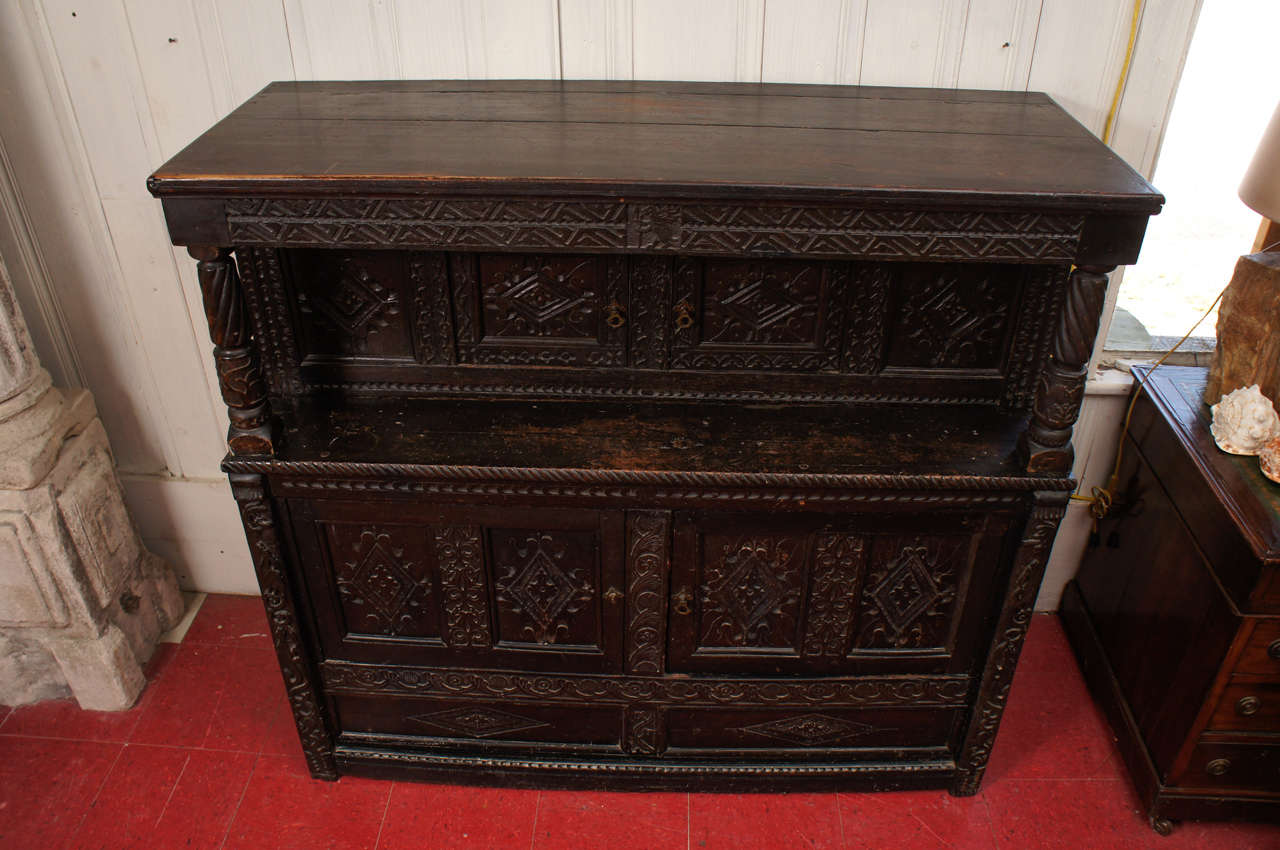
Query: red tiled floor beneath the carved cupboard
x=209, y=758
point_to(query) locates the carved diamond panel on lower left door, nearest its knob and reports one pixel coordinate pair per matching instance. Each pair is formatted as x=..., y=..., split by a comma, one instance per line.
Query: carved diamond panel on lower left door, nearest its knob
x=547, y=587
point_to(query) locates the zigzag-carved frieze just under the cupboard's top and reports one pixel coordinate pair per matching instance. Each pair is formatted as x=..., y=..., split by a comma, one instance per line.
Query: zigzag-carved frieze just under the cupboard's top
x=688, y=229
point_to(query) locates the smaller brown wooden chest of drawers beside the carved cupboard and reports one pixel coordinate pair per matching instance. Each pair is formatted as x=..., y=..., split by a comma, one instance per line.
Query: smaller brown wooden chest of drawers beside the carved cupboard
x=1177, y=615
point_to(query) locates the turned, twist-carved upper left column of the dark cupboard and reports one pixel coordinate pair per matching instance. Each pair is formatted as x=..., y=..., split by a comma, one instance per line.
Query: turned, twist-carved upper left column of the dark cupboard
x=239, y=374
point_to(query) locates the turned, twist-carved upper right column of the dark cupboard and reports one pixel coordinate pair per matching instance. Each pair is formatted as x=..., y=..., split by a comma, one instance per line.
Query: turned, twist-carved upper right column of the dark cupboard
x=1046, y=446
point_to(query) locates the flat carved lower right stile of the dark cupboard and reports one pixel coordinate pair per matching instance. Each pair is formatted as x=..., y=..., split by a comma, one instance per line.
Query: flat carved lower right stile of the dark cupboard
x=1016, y=616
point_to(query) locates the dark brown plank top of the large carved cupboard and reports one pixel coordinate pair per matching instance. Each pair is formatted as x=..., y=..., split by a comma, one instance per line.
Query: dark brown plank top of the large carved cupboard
x=657, y=140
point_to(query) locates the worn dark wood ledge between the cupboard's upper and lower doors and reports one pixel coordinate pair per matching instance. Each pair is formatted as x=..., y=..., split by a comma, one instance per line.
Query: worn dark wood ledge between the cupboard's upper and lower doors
x=636, y=436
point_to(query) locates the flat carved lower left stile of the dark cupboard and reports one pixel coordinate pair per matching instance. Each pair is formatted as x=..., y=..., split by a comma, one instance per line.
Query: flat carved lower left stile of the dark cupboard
x=296, y=662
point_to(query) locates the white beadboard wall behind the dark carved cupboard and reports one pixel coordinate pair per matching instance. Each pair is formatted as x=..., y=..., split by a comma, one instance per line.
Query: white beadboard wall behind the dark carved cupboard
x=95, y=94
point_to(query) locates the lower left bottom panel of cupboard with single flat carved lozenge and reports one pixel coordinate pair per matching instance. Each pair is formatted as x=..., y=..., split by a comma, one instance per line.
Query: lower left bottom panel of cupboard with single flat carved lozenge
x=490, y=725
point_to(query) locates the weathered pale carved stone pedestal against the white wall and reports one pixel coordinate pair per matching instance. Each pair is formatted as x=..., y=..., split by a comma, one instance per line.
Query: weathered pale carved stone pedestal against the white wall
x=81, y=601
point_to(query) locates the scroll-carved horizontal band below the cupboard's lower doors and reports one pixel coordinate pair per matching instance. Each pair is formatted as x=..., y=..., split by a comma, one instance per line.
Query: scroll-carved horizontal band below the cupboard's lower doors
x=940, y=692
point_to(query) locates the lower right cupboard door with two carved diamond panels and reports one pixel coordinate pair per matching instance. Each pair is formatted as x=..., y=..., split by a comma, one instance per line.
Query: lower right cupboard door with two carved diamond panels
x=767, y=596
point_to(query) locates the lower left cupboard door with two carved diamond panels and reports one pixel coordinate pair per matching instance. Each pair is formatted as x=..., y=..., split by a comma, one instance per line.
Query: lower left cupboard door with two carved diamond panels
x=427, y=584
